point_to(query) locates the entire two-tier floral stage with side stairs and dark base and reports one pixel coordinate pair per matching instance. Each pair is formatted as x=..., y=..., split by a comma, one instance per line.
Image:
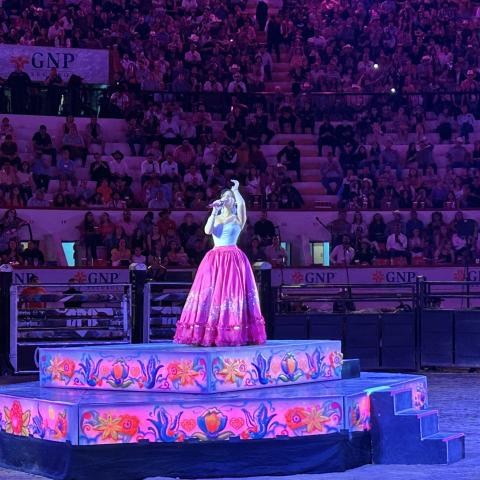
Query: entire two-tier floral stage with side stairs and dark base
x=336, y=419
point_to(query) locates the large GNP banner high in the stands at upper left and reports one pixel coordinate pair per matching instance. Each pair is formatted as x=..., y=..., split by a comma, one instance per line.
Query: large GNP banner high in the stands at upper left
x=91, y=65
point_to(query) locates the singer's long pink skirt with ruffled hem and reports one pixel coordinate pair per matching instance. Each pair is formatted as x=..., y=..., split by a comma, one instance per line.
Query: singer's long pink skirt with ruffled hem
x=222, y=308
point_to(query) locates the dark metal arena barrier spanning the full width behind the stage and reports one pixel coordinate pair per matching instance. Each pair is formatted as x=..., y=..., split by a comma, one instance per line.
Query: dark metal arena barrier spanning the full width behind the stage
x=403, y=326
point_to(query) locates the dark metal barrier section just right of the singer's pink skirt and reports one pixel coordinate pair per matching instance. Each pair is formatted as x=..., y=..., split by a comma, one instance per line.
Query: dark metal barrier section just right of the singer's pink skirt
x=385, y=337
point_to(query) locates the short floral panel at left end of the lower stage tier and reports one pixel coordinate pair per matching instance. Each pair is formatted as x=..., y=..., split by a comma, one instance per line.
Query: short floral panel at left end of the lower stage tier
x=44, y=420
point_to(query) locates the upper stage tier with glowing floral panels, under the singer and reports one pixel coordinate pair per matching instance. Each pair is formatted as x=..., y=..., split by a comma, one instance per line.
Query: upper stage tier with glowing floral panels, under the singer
x=168, y=367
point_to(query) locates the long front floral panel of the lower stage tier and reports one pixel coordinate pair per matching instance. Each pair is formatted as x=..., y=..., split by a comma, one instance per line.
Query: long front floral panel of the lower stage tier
x=245, y=421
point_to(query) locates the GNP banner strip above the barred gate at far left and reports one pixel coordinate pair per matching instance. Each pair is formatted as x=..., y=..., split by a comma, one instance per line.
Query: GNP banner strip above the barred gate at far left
x=22, y=276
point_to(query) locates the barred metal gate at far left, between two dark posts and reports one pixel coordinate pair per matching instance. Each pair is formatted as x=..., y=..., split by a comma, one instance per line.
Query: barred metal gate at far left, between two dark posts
x=43, y=315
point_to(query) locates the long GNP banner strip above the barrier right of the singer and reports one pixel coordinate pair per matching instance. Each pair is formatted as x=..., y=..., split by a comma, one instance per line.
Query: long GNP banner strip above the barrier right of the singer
x=373, y=275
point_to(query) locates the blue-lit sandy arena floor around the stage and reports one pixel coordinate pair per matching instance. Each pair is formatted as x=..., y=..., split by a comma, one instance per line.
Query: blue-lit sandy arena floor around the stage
x=457, y=397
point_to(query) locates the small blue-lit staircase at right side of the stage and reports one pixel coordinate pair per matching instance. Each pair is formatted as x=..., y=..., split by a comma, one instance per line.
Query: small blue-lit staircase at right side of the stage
x=404, y=432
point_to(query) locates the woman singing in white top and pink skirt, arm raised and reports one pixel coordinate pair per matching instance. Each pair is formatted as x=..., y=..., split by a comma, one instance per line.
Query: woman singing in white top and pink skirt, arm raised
x=222, y=307
